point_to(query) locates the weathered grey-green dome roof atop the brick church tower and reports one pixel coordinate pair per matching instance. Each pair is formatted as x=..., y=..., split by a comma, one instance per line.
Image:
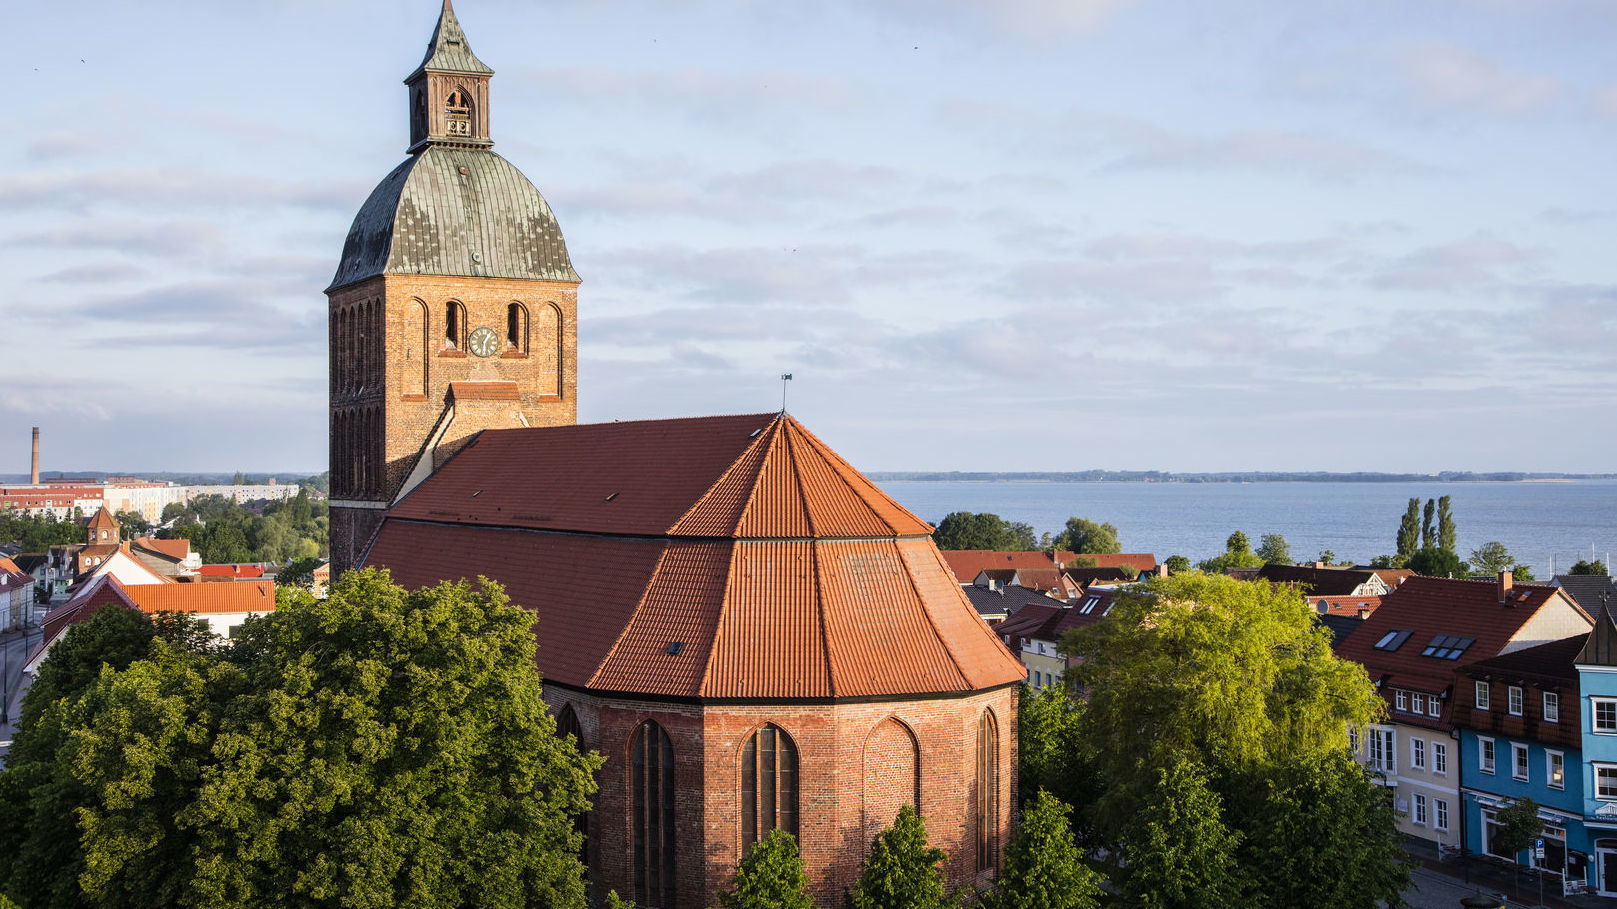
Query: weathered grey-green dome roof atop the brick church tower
x=431, y=219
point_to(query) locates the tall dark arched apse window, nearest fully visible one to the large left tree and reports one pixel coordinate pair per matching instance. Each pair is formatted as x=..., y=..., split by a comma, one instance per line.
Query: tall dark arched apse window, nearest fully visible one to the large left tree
x=652, y=813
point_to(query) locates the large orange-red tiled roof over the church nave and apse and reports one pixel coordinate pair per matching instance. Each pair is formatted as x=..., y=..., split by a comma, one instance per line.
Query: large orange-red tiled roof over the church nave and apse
x=699, y=559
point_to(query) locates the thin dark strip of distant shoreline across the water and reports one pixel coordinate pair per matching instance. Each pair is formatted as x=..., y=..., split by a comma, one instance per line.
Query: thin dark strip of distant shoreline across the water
x=1226, y=478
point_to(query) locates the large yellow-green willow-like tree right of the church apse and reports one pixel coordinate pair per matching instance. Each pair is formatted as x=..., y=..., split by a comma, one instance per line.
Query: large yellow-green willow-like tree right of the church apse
x=1210, y=670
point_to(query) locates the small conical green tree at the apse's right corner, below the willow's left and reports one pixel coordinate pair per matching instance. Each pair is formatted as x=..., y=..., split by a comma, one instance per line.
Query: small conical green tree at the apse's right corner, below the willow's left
x=1044, y=866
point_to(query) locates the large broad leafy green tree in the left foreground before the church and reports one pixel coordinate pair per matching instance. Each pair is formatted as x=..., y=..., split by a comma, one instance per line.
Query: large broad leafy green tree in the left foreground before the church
x=378, y=748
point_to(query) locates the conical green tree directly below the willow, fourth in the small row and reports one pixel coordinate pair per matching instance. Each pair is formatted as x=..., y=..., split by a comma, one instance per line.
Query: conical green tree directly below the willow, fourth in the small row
x=1181, y=855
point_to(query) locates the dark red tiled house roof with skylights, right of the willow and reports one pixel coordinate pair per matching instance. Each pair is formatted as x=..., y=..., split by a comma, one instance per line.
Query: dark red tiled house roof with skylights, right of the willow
x=1430, y=607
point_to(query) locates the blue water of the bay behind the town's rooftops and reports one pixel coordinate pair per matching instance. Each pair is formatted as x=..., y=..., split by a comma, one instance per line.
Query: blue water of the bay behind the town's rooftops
x=1356, y=522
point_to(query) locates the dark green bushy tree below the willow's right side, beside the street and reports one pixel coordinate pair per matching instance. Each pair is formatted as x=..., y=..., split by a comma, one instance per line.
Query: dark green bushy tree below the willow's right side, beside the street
x=1320, y=832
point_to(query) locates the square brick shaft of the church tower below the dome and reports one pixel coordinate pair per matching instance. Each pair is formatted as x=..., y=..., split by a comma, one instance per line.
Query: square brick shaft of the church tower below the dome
x=394, y=360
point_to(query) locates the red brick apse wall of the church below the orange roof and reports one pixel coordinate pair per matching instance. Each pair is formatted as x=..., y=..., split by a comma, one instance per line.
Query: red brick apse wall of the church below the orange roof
x=858, y=764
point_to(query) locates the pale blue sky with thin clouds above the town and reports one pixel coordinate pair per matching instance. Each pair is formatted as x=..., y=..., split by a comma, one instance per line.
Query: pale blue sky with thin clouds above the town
x=982, y=235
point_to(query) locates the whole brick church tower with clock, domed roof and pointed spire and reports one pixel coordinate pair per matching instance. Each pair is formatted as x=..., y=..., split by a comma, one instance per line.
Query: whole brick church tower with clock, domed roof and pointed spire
x=454, y=308
